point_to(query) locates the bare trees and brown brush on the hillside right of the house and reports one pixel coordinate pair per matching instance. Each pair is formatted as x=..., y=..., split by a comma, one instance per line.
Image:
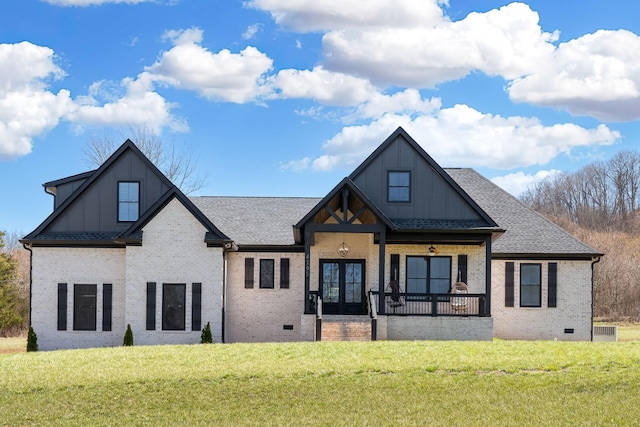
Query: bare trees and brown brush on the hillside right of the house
x=600, y=205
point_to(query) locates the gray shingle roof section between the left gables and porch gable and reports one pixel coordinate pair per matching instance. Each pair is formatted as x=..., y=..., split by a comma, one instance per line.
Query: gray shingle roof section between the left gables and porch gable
x=256, y=220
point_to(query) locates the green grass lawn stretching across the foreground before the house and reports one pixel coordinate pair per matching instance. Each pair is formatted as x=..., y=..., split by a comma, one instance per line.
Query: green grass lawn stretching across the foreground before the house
x=374, y=383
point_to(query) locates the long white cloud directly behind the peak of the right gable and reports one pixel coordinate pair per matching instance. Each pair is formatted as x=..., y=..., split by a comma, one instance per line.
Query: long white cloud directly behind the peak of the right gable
x=462, y=136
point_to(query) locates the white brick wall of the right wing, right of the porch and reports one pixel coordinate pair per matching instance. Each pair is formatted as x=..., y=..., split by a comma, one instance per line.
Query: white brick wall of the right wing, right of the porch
x=573, y=309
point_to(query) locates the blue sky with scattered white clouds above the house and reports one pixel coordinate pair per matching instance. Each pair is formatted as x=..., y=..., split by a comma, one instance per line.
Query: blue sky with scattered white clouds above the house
x=286, y=97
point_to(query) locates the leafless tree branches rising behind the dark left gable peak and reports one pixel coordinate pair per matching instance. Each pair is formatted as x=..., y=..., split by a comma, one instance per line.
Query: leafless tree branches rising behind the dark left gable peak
x=178, y=164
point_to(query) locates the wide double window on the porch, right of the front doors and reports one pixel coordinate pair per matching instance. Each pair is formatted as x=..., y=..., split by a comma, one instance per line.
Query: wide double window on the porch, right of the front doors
x=428, y=275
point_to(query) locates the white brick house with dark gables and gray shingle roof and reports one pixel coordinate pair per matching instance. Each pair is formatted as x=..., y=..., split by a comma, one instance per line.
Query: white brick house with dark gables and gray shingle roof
x=400, y=249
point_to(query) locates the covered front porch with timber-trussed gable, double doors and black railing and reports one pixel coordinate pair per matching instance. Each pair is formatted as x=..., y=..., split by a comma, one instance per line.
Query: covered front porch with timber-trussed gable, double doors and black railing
x=400, y=273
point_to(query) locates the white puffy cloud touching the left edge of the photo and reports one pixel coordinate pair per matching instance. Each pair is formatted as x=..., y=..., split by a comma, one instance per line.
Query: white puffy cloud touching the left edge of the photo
x=27, y=108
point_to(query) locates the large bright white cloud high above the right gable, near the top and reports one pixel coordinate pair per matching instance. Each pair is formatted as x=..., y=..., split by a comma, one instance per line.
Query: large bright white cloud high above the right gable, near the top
x=507, y=42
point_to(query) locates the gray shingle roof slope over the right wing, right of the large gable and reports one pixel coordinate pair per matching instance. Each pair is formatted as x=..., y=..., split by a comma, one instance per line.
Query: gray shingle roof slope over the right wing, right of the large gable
x=527, y=232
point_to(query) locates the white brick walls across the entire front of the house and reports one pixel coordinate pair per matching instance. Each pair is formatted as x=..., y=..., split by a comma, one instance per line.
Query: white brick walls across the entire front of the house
x=174, y=251
